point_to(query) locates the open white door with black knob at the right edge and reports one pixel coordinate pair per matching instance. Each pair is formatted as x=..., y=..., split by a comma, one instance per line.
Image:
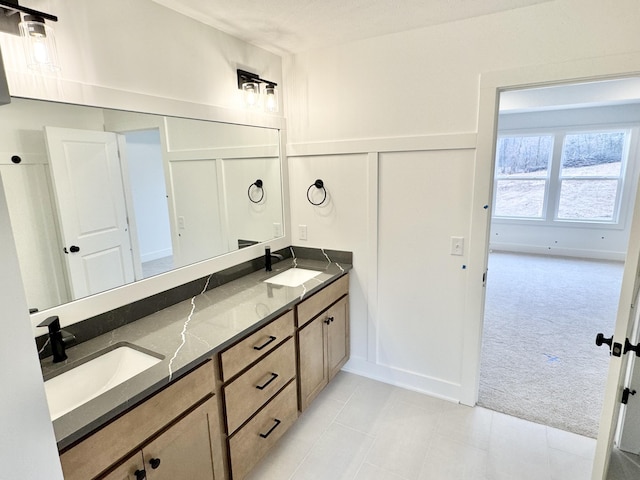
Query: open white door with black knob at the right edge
x=618, y=364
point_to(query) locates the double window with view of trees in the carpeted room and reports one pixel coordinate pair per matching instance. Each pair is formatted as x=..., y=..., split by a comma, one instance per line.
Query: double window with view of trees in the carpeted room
x=561, y=176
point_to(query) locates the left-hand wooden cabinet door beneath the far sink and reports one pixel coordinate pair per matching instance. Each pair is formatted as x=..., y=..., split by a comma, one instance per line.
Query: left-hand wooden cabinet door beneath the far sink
x=313, y=360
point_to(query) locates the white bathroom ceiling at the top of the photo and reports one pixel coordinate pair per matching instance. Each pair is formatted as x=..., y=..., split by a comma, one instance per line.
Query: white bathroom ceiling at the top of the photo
x=294, y=26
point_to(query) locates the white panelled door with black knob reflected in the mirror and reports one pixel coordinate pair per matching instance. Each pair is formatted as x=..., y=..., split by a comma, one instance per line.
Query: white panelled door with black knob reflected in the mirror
x=88, y=186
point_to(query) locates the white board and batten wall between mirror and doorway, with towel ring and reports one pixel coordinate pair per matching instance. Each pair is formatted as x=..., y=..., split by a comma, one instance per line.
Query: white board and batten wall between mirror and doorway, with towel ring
x=390, y=124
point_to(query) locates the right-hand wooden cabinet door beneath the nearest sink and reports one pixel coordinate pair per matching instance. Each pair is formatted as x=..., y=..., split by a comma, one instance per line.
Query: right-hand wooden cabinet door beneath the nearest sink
x=187, y=449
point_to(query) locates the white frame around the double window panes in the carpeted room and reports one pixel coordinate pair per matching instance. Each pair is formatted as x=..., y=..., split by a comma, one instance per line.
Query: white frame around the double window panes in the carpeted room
x=626, y=180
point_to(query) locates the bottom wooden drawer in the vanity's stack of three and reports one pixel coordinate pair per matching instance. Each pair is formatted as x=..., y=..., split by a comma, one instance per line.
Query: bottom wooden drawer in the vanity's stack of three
x=253, y=440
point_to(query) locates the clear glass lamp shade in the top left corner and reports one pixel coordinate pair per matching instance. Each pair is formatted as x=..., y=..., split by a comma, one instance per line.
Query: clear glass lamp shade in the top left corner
x=39, y=44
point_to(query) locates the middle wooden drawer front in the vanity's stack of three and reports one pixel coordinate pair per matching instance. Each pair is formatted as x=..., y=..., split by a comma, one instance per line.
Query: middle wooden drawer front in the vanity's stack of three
x=256, y=386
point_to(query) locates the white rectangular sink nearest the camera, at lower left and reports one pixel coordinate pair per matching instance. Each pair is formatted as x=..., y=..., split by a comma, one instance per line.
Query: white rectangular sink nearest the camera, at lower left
x=77, y=386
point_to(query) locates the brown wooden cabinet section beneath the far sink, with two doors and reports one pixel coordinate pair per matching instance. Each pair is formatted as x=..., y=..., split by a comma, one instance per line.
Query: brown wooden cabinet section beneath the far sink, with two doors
x=323, y=342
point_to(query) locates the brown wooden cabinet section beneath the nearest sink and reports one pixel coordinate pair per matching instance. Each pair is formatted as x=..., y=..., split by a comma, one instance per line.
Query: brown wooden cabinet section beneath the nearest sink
x=165, y=430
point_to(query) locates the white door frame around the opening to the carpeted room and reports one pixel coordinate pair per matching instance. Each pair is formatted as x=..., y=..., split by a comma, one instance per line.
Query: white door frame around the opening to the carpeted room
x=491, y=85
